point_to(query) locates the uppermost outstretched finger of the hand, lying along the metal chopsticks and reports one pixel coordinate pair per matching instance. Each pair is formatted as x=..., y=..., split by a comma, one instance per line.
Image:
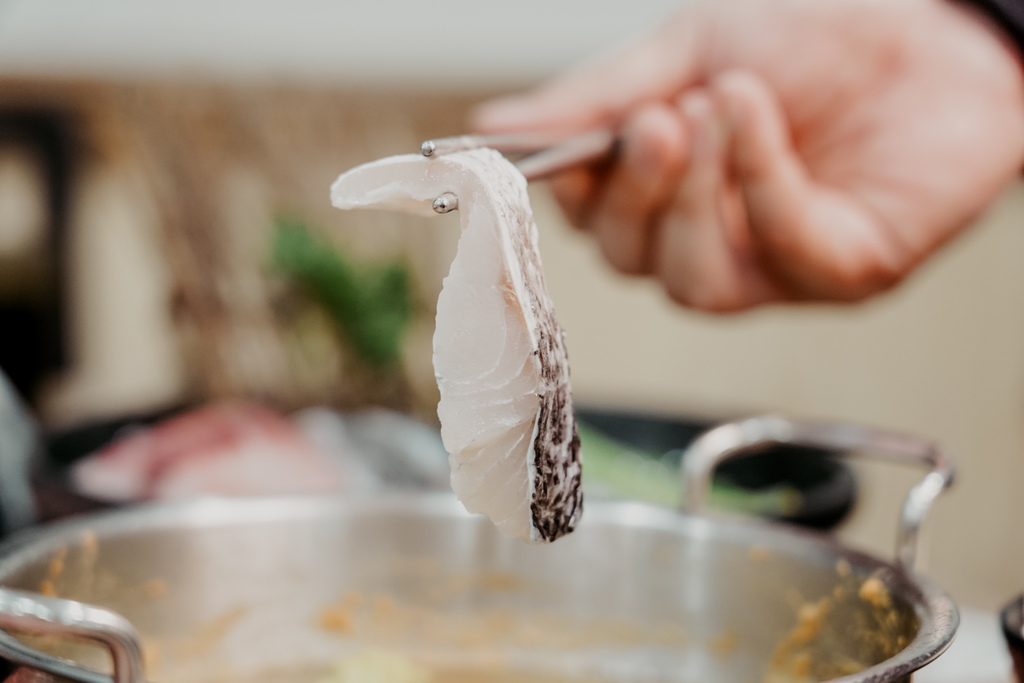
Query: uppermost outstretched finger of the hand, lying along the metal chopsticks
x=657, y=68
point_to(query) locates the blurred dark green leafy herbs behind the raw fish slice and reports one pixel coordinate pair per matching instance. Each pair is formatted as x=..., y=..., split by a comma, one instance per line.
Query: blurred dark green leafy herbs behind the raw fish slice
x=371, y=305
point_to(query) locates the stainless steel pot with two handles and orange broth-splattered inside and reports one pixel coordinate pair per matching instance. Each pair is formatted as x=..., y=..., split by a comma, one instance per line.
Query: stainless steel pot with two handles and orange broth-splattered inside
x=232, y=588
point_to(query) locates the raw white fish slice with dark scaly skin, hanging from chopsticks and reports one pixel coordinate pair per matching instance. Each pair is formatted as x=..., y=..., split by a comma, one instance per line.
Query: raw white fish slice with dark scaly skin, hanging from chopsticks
x=500, y=359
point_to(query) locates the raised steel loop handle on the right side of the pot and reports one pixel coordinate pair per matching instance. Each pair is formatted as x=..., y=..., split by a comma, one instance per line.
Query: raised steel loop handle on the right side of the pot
x=735, y=439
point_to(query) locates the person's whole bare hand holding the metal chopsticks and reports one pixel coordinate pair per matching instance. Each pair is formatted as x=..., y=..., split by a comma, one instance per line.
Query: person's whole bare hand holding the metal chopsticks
x=788, y=150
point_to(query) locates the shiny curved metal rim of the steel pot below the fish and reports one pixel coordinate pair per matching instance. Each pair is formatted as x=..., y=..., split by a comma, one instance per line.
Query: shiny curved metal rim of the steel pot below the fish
x=937, y=614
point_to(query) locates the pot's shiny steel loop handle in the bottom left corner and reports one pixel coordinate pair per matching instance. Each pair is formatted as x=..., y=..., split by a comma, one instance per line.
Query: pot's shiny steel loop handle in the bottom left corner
x=33, y=613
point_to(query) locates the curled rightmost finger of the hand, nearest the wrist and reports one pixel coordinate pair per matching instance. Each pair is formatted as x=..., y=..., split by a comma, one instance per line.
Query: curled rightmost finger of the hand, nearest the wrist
x=819, y=242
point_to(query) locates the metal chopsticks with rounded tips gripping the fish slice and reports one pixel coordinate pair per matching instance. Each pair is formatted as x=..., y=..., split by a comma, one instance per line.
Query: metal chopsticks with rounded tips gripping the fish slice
x=543, y=154
